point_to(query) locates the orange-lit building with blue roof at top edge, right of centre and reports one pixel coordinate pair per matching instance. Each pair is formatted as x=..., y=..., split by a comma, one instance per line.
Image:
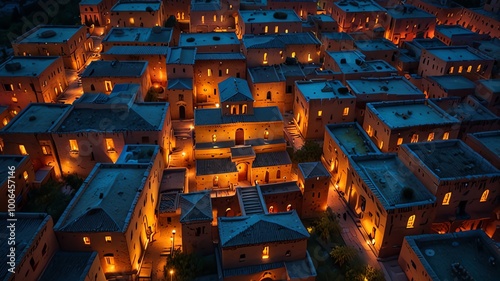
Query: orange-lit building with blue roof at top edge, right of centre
x=354, y=16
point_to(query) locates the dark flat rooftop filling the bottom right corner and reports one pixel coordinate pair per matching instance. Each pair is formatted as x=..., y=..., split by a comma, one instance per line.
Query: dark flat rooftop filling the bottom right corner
x=440, y=253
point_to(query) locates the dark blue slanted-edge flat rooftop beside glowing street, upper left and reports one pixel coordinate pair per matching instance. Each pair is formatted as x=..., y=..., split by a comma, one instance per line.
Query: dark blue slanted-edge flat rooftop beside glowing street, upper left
x=102, y=68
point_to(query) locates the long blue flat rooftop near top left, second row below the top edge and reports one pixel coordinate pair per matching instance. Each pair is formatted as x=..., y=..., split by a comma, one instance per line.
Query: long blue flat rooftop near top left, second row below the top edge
x=139, y=34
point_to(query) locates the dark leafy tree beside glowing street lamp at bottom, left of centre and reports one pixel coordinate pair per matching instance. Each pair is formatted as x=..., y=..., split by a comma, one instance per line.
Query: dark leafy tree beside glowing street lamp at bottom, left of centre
x=185, y=266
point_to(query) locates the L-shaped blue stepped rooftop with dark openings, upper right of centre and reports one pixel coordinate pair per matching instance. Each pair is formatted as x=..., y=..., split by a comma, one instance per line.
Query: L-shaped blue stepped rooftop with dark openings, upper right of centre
x=352, y=65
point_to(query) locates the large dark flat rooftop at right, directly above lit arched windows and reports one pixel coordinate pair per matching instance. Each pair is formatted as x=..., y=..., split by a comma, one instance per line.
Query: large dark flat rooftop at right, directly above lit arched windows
x=451, y=159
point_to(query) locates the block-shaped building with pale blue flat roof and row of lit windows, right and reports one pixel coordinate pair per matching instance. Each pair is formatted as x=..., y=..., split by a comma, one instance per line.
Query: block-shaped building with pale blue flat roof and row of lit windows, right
x=390, y=124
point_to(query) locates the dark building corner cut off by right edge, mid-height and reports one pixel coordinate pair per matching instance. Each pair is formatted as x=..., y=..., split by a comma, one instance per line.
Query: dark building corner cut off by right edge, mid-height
x=487, y=144
